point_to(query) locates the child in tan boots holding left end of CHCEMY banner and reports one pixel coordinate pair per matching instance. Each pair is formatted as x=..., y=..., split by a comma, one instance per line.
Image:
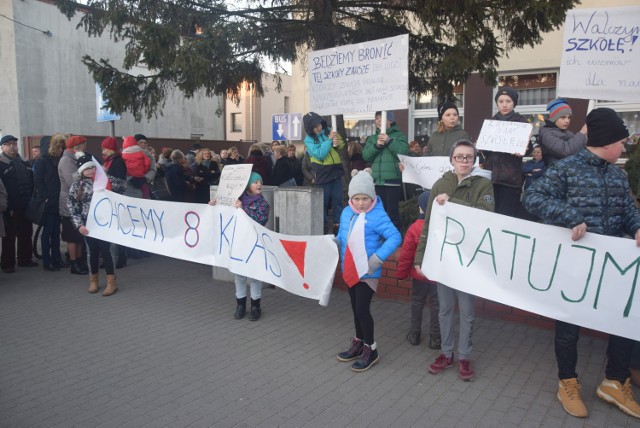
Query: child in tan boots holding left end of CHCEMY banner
x=80, y=194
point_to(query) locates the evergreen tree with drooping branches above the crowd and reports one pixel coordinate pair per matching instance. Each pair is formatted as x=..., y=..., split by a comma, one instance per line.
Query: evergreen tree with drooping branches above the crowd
x=215, y=45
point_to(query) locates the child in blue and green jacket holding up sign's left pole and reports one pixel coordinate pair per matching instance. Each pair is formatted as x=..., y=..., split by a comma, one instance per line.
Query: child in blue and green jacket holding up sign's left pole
x=324, y=147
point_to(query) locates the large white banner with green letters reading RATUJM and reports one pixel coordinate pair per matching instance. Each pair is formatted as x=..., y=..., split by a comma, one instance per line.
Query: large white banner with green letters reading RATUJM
x=536, y=267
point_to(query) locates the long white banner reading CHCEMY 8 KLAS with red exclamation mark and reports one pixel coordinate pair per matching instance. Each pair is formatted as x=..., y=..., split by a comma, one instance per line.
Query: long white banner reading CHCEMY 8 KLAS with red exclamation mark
x=217, y=236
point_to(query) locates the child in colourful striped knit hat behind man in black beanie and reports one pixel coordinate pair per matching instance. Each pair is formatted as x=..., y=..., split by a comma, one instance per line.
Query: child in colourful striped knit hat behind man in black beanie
x=555, y=137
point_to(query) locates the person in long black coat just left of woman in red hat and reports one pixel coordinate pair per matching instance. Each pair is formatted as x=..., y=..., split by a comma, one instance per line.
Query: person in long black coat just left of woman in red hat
x=47, y=186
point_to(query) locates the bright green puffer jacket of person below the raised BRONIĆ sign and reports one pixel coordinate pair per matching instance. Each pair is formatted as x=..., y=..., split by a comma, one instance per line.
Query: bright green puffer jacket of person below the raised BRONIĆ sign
x=384, y=160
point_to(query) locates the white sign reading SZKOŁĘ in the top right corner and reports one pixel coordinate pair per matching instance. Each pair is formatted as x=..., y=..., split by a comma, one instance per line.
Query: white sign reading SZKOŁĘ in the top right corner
x=601, y=54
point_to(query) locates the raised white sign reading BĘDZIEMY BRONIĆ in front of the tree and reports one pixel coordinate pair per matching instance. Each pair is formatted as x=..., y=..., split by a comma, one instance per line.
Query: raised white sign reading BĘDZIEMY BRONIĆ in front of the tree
x=360, y=78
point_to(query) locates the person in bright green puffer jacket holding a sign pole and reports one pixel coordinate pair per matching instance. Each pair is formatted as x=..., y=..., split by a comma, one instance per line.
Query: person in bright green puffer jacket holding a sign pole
x=381, y=151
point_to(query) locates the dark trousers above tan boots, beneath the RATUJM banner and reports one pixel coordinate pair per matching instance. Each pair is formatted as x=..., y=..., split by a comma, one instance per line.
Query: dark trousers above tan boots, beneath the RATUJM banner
x=619, y=351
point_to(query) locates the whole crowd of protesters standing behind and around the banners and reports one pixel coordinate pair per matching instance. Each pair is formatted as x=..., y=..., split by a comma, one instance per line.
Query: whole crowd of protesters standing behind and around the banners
x=571, y=181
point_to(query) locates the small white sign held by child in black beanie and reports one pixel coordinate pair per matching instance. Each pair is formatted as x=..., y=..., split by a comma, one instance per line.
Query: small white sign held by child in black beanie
x=503, y=136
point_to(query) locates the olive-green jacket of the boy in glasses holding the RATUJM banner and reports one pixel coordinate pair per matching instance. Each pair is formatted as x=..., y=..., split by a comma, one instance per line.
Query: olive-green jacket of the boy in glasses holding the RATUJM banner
x=474, y=191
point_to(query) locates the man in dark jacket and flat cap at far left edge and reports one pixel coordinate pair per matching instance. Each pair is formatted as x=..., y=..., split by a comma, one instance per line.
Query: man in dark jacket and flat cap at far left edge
x=17, y=177
